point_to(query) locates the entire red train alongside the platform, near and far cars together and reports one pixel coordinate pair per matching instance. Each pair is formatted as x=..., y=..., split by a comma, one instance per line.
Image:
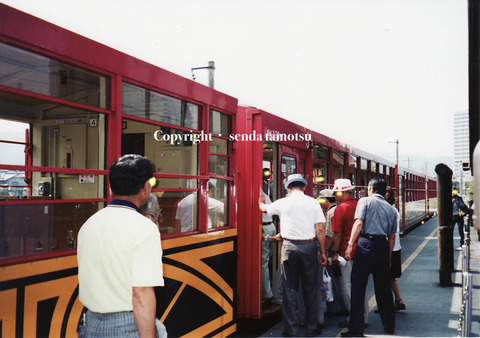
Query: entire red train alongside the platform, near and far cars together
x=80, y=105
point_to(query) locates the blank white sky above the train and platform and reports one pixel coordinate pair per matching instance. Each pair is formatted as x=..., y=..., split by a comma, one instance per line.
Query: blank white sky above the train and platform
x=363, y=72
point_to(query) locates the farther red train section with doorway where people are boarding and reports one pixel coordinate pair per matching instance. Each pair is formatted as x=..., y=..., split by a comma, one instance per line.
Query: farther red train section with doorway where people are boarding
x=268, y=141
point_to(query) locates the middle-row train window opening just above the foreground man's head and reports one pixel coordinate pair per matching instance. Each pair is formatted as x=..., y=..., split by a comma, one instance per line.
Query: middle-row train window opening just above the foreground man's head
x=172, y=151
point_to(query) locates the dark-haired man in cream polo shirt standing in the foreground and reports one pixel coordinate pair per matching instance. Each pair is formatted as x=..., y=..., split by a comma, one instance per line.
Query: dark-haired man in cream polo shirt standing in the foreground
x=120, y=258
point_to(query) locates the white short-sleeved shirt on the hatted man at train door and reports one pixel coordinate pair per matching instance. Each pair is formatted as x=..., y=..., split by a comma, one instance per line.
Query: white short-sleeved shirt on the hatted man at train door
x=298, y=214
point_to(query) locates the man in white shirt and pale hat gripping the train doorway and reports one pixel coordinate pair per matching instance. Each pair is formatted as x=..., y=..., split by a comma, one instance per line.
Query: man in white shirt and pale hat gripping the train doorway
x=301, y=226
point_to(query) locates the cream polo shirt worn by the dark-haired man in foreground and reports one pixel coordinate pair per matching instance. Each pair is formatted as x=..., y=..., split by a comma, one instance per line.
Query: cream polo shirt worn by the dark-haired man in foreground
x=118, y=248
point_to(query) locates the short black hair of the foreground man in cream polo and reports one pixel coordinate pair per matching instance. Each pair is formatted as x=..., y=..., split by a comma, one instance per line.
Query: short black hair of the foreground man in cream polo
x=129, y=173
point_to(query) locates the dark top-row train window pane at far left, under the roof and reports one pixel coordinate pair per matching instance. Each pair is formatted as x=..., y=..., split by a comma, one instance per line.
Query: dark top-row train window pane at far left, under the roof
x=39, y=74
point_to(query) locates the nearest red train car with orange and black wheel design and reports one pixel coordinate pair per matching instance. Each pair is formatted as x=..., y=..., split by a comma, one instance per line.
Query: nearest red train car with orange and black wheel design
x=81, y=105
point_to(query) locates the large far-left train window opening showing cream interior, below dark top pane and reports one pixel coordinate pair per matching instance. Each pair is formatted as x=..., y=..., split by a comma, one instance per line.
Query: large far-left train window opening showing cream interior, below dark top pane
x=58, y=137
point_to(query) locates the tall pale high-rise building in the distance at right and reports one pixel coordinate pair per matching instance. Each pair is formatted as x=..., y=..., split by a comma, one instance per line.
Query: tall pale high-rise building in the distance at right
x=462, y=149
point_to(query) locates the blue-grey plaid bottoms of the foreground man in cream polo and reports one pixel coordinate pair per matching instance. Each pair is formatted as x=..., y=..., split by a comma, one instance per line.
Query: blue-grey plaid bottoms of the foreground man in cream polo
x=116, y=324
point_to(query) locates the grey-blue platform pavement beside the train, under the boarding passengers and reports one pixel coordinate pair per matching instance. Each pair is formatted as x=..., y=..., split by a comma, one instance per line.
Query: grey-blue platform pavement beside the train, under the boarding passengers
x=431, y=310
